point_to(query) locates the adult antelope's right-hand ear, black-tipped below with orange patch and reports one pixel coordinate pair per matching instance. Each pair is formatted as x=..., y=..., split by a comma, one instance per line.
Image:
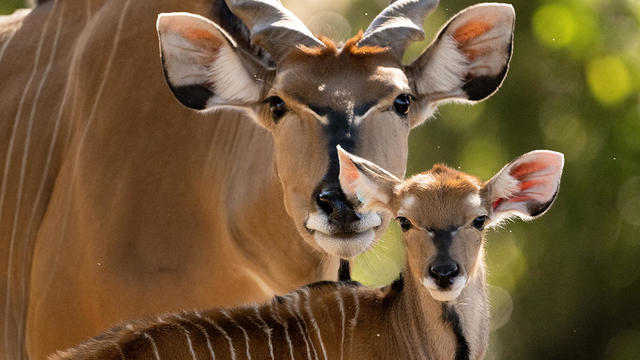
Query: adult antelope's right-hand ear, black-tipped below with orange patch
x=470, y=56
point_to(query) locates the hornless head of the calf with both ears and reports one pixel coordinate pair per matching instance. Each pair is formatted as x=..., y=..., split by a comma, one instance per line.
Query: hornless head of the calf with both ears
x=444, y=213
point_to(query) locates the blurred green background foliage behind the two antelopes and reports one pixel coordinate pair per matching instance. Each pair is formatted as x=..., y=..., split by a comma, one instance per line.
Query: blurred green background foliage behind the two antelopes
x=566, y=286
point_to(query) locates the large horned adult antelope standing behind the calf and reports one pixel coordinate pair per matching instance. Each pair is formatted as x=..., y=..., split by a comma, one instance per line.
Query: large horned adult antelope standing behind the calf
x=115, y=201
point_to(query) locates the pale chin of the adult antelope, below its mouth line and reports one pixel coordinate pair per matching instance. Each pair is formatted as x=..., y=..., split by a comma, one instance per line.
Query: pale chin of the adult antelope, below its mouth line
x=345, y=246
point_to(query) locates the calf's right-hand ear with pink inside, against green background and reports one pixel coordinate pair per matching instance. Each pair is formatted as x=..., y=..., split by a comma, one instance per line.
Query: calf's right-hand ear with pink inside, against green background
x=526, y=187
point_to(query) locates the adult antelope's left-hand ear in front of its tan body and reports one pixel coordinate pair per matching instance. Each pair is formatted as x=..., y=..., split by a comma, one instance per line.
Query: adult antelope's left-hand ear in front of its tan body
x=202, y=64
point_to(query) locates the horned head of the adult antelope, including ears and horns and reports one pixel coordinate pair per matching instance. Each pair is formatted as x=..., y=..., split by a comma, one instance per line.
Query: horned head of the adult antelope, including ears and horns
x=313, y=95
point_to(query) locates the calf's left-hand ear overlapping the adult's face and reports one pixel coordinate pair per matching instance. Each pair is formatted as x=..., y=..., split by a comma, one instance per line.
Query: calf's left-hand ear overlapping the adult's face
x=370, y=184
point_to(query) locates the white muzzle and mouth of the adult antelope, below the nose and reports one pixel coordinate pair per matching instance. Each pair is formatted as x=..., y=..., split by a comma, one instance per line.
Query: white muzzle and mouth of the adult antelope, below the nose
x=343, y=244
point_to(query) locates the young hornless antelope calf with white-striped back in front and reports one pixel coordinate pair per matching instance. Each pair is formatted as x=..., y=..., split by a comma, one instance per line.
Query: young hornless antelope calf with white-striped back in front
x=437, y=309
